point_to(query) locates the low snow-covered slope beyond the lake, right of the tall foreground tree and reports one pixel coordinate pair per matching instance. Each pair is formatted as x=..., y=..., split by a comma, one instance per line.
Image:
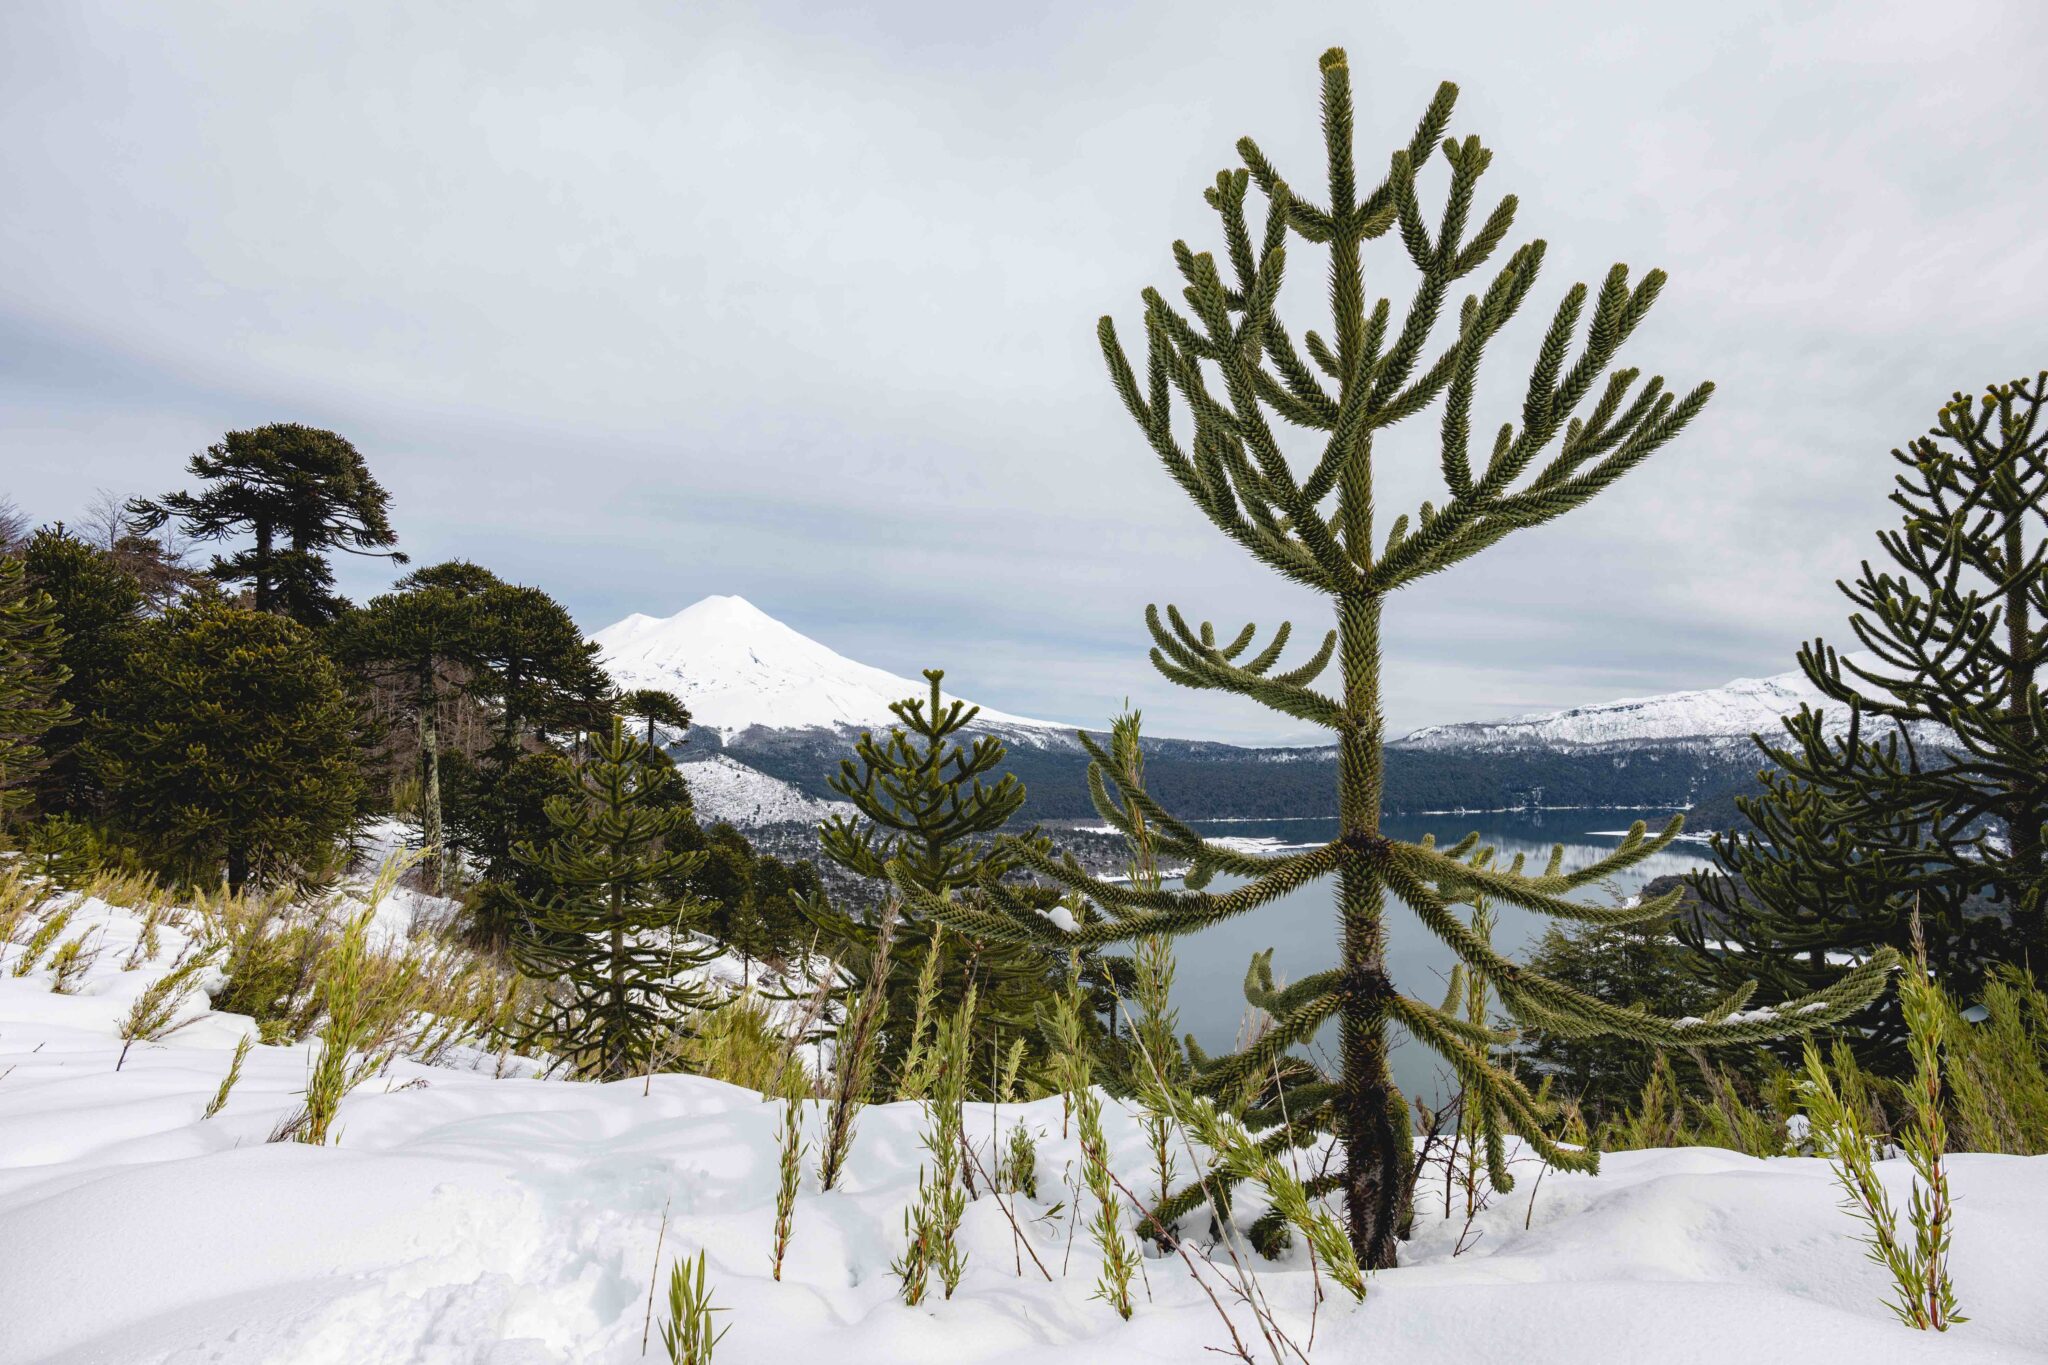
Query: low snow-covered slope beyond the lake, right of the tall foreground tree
x=1727, y=713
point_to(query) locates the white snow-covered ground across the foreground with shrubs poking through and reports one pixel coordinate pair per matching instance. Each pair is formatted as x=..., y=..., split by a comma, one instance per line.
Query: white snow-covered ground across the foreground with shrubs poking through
x=480, y=1221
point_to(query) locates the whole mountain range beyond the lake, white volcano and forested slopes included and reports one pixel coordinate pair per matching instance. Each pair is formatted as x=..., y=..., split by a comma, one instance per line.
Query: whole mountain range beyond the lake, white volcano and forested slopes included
x=775, y=713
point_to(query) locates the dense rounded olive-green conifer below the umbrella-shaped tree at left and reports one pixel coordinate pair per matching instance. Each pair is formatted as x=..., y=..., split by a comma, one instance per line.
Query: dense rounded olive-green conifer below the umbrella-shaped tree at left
x=228, y=744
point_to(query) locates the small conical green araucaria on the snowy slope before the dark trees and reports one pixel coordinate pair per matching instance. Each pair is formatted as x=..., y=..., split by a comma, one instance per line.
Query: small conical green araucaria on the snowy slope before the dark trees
x=609, y=940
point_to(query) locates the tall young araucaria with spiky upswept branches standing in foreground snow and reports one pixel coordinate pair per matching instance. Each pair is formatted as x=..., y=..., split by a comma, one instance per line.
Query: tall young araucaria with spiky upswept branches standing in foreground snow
x=1240, y=373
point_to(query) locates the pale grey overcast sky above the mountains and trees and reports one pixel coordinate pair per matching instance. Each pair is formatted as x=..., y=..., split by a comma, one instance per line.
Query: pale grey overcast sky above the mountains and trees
x=796, y=302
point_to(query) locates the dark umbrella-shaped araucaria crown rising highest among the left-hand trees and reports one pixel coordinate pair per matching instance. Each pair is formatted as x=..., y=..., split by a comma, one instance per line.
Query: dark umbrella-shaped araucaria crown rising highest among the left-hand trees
x=298, y=494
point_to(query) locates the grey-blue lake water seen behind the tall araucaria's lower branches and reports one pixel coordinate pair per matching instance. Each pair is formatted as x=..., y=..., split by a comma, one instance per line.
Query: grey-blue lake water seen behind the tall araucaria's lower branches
x=1302, y=928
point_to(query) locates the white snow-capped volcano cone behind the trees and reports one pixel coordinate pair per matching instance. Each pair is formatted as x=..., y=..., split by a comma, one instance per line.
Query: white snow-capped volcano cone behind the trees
x=738, y=668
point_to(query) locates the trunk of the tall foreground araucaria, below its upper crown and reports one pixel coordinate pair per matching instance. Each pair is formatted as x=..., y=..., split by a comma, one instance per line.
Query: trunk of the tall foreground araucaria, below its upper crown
x=1373, y=1114
